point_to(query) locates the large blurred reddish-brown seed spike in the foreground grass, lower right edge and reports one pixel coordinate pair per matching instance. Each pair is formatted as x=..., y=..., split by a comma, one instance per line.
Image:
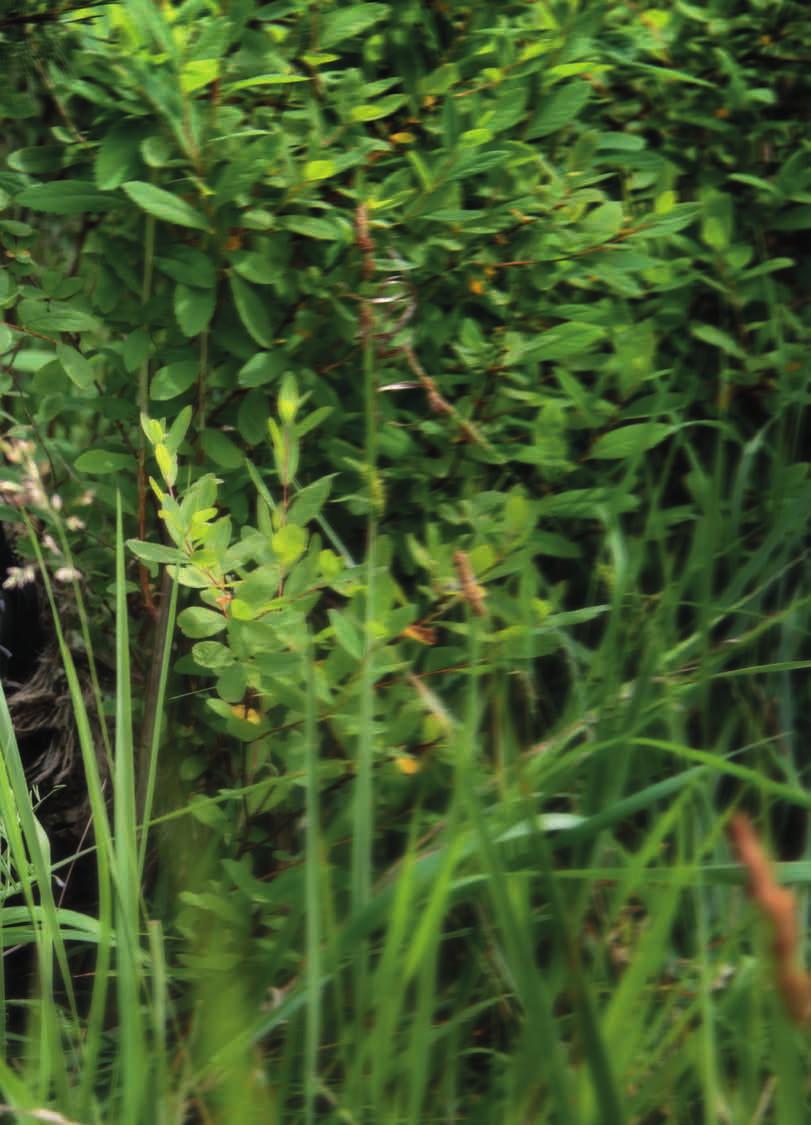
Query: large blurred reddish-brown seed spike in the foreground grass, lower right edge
x=779, y=907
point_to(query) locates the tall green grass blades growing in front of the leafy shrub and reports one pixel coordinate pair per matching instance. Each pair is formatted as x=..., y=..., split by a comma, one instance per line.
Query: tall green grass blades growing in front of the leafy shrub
x=562, y=938
